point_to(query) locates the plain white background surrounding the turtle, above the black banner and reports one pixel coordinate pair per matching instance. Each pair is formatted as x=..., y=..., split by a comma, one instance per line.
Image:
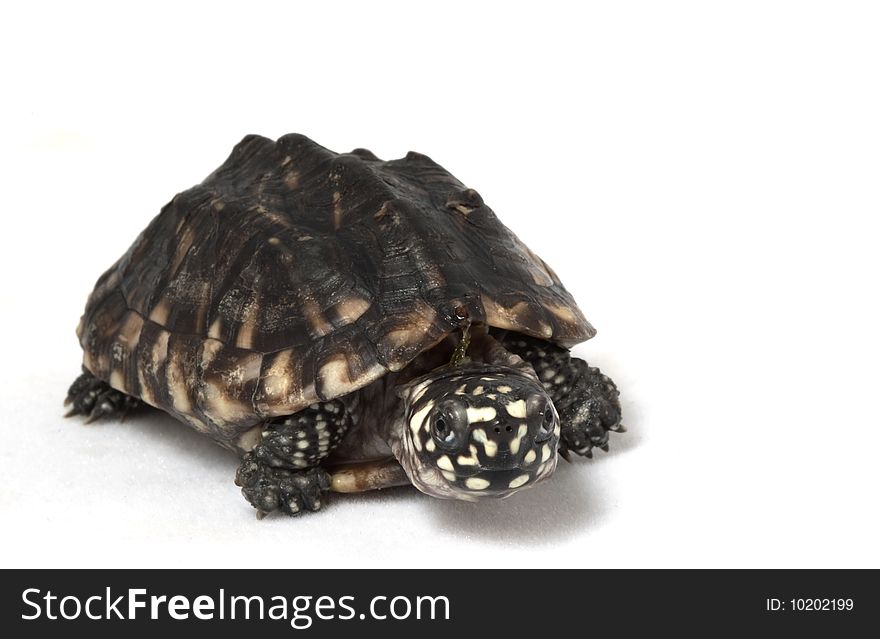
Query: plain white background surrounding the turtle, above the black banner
x=702, y=176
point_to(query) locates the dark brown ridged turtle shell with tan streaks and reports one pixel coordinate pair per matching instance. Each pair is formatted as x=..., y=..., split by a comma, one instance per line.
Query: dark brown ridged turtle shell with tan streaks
x=294, y=274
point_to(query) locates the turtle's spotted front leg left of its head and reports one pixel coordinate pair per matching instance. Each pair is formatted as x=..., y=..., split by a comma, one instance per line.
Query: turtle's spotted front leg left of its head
x=283, y=471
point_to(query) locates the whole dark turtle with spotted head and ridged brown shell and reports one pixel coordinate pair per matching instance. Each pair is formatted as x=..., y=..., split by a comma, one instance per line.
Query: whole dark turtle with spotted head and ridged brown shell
x=344, y=324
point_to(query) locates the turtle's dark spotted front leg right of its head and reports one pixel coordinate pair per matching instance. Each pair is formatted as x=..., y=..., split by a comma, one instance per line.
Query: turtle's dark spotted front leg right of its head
x=586, y=400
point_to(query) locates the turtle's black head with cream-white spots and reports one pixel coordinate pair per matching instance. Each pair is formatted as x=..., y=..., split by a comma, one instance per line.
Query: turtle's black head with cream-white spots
x=477, y=431
